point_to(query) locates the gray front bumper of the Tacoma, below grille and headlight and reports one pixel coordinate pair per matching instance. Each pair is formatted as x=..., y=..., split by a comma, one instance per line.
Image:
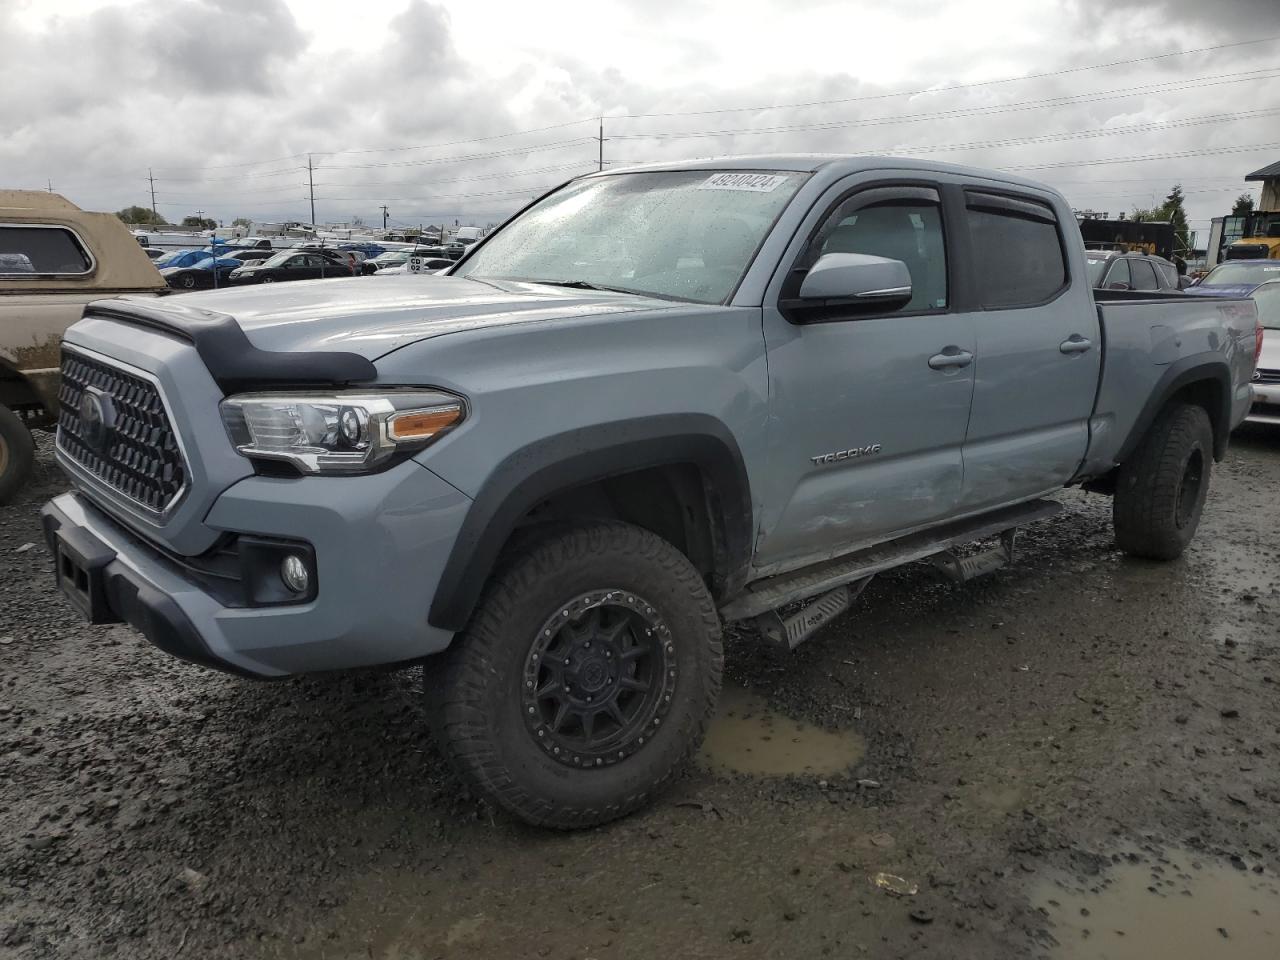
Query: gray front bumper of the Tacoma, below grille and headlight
x=381, y=545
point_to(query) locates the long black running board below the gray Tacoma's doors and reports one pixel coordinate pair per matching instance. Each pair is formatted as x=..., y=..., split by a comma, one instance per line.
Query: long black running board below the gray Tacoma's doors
x=824, y=578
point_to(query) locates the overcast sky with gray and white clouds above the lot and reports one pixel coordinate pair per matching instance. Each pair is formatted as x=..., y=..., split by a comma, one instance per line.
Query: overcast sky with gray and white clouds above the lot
x=465, y=111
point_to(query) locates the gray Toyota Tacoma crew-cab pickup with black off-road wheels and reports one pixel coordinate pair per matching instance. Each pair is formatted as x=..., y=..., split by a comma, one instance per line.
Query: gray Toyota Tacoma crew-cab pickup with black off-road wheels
x=655, y=401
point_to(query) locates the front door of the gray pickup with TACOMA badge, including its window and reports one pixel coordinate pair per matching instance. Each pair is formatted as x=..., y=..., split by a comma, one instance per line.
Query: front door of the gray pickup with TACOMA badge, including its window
x=868, y=412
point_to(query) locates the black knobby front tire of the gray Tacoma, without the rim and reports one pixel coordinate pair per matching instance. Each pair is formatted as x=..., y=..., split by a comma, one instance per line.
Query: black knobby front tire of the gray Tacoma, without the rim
x=474, y=691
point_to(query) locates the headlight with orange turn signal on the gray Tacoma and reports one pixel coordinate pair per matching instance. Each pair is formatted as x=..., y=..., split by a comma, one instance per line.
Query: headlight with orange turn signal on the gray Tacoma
x=339, y=433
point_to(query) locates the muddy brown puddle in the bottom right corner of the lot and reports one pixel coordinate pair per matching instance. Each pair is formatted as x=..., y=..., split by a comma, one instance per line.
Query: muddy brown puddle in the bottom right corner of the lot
x=1181, y=908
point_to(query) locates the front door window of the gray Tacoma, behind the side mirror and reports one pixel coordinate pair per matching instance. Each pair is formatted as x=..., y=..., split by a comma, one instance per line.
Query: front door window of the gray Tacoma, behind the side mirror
x=908, y=228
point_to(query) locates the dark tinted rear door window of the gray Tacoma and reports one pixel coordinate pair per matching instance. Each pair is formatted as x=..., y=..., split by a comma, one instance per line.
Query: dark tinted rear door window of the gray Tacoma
x=1017, y=250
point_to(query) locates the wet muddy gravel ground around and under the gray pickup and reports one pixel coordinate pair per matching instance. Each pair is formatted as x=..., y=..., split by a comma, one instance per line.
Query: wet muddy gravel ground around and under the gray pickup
x=1026, y=729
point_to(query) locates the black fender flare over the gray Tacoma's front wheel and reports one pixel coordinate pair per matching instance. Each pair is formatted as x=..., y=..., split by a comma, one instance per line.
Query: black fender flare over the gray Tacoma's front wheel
x=564, y=461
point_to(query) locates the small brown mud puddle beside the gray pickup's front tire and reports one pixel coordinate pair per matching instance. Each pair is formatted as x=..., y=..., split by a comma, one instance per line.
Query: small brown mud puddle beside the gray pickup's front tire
x=748, y=737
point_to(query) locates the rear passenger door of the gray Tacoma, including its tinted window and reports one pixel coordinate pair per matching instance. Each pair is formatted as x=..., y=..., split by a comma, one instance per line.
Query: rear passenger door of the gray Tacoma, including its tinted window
x=1039, y=349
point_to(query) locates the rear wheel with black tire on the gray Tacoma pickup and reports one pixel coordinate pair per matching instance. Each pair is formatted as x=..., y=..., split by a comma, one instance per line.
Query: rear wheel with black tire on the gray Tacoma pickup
x=1162, y=488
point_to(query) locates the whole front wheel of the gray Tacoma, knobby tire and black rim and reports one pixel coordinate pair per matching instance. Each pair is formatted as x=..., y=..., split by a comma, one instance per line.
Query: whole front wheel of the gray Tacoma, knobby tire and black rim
x=586, y=679
